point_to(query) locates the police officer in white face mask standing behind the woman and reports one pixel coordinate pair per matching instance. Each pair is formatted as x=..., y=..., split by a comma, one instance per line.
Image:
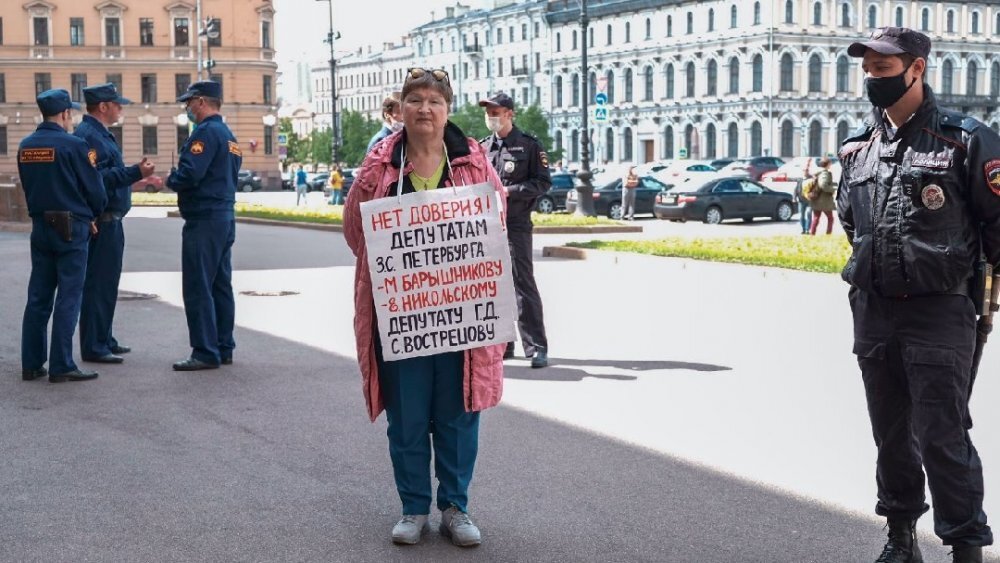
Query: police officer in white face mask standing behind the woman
x=523, y=167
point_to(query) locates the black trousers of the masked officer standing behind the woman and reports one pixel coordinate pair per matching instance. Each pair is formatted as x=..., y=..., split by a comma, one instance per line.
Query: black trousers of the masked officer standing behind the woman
x=529, y=303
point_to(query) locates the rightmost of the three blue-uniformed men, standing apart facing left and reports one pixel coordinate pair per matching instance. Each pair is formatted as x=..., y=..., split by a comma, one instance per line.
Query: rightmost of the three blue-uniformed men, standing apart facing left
x=205, y=182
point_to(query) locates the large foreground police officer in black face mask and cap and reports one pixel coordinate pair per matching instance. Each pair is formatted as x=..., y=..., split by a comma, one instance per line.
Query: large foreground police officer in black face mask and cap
x=920, y=202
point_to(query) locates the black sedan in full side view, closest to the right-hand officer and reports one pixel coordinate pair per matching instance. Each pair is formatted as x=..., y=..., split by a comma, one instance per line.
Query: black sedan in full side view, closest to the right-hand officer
x=724, y=198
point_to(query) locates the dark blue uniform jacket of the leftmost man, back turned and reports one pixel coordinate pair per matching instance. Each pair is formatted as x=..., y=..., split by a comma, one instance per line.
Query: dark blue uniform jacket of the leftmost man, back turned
x=58, y=173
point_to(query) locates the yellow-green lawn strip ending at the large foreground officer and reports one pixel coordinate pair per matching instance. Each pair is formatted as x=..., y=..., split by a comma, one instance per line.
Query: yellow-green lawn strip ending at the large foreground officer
x=812, y=254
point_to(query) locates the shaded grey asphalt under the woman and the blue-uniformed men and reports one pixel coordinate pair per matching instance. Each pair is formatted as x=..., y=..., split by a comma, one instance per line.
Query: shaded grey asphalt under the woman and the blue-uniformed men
x=273, y=459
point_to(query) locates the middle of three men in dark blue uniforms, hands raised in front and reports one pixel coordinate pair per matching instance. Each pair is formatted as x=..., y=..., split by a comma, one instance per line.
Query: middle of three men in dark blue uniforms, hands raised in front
x=104, y=261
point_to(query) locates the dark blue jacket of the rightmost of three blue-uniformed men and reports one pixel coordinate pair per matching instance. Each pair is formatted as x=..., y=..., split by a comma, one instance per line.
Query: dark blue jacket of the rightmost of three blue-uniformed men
x=205, y=178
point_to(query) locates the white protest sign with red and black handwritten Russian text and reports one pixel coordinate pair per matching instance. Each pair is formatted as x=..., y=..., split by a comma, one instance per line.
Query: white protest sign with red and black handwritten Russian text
x=440, y=269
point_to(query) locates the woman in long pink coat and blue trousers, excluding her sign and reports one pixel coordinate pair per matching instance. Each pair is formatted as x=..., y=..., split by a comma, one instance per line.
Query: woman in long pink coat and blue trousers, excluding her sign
x=435, y=396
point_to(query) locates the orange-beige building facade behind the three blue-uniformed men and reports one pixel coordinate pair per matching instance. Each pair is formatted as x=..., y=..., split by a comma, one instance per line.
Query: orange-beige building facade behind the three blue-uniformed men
x=151, y=49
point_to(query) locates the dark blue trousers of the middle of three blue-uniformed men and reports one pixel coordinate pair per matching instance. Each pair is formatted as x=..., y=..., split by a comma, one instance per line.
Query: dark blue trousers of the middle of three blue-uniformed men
x=100, y=290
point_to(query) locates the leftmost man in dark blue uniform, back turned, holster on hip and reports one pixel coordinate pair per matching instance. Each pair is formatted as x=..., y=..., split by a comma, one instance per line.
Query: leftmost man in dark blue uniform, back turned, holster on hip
x=64, y=193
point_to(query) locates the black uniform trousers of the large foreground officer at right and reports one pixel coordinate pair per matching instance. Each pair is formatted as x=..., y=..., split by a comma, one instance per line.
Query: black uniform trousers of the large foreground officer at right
x=915, y=356
